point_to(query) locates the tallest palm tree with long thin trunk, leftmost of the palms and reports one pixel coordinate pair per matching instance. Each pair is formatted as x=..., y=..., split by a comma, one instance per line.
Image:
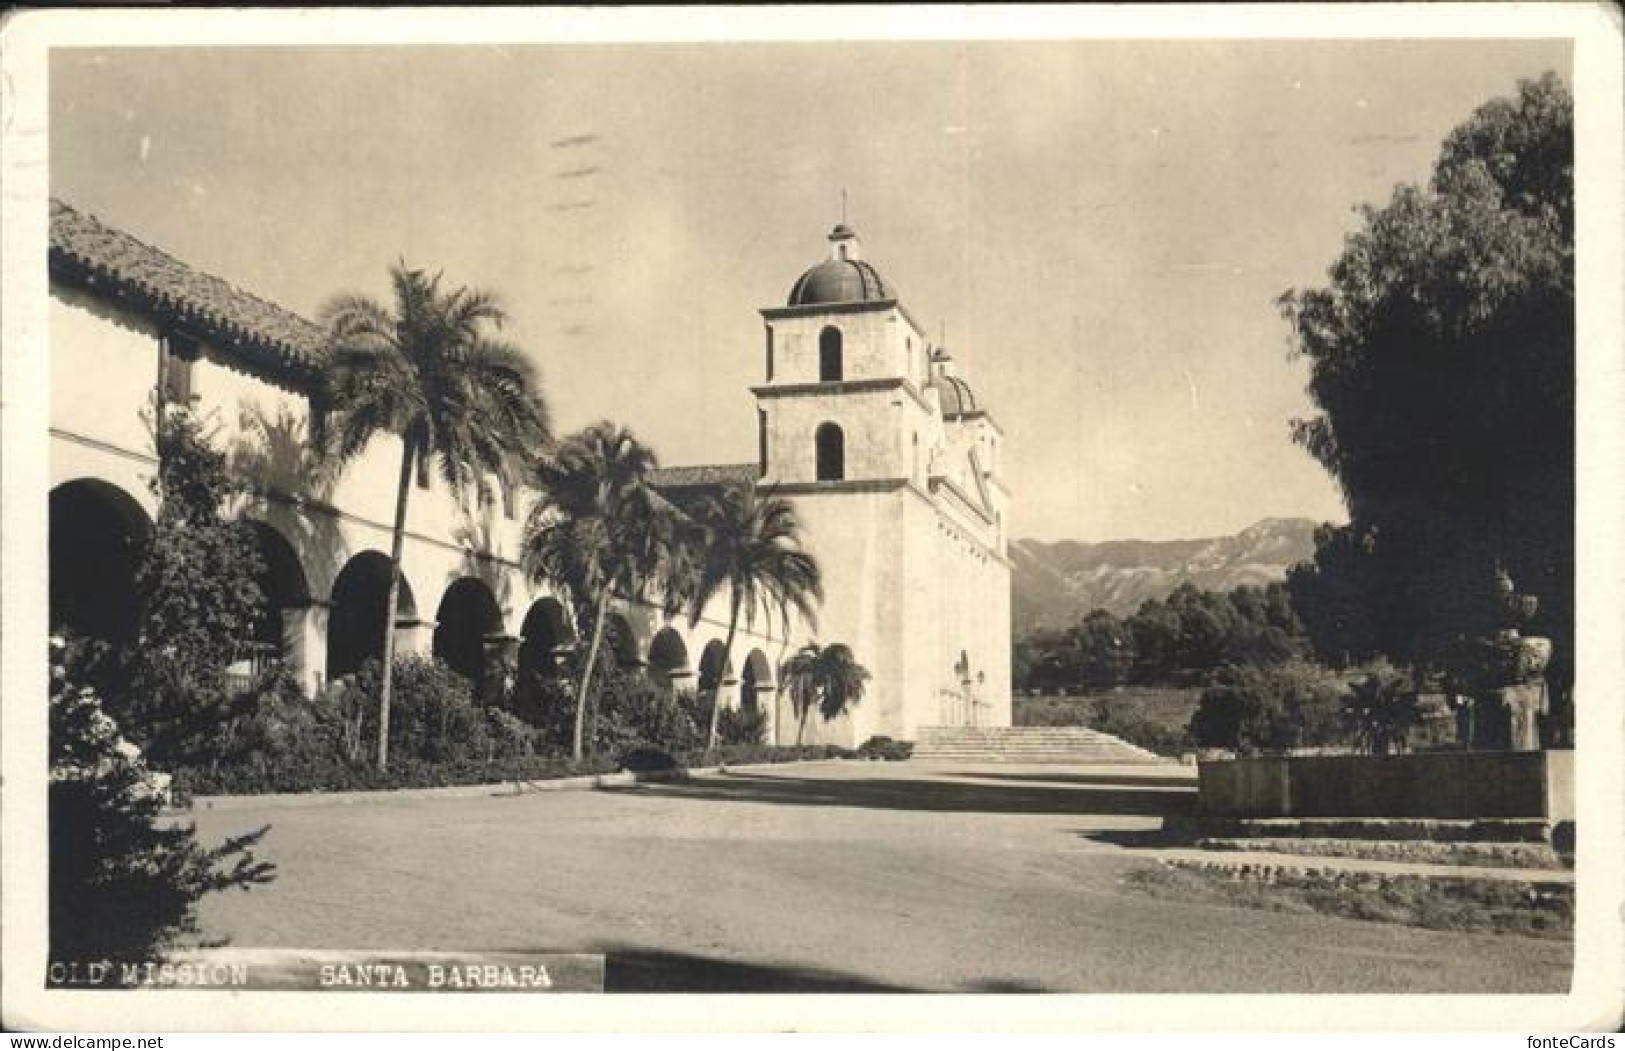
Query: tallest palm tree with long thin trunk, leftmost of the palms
x=430, y=374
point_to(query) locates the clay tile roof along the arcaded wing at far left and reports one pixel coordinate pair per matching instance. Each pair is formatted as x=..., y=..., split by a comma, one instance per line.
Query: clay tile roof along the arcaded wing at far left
x=89, y=253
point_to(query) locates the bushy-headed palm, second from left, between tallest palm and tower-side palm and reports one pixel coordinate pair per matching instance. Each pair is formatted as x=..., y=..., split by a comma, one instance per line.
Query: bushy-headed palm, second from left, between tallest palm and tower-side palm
x=599, y=530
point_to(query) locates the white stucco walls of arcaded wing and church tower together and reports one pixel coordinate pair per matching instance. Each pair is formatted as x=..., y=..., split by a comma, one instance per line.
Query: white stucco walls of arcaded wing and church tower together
x=914, y=573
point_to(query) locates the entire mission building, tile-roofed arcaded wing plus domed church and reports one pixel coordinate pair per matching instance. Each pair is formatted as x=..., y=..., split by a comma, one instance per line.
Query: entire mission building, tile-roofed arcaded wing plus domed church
x=888, y=456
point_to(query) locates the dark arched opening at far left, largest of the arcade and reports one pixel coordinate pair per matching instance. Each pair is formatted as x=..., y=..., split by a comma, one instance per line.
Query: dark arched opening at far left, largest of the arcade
x=97, y=537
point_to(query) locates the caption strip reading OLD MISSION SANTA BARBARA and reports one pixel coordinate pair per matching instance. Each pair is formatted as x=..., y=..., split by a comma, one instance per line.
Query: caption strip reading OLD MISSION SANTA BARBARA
x=297, y=971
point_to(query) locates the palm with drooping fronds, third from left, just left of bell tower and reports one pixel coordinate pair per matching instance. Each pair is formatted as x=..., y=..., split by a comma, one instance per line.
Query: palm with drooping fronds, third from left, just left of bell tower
x=752, y=550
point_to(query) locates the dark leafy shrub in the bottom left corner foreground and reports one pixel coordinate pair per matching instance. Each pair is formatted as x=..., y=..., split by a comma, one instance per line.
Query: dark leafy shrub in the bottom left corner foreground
x=124, y=883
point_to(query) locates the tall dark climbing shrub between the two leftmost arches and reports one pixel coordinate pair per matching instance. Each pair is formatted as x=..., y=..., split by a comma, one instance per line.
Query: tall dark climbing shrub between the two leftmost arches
x=199, y=599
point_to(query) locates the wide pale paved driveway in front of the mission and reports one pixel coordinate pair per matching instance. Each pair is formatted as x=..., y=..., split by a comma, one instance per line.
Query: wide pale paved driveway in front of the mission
x=826, y=878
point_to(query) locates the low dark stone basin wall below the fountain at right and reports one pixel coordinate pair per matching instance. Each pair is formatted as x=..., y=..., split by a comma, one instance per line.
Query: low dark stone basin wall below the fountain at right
x=1437, y=785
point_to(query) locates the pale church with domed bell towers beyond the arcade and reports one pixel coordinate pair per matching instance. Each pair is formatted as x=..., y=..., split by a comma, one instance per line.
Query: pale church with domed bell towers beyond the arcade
x=895, y=467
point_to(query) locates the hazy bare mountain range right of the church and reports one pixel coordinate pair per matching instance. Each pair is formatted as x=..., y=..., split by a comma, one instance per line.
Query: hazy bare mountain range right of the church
x=1055, y=584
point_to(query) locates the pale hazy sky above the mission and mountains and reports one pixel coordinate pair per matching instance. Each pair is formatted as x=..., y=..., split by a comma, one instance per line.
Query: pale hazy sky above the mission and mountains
x=1098, y=230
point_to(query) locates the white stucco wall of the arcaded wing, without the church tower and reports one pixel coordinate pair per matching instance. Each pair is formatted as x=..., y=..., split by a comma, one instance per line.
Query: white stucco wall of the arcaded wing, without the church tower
x=105, y=368
